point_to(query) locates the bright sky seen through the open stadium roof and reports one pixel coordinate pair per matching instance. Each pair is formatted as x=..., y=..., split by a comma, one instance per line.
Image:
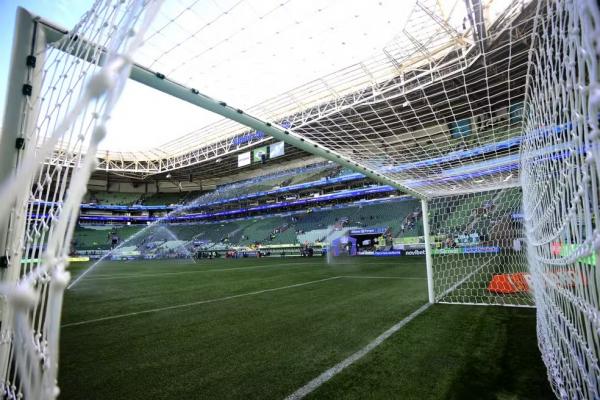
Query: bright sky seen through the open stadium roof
x=242, y=52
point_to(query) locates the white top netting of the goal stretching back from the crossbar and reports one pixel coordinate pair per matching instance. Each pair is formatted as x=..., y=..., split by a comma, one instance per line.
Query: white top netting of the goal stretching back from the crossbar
x=435, y=97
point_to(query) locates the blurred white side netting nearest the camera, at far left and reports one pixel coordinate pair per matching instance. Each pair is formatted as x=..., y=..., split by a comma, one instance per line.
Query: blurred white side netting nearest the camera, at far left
x=76, y=83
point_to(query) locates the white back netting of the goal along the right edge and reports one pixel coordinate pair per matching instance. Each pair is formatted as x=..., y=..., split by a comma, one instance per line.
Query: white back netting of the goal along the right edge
x=560, y=175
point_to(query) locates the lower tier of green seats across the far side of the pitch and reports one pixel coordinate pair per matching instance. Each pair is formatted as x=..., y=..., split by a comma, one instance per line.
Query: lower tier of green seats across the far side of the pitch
x=310, y=225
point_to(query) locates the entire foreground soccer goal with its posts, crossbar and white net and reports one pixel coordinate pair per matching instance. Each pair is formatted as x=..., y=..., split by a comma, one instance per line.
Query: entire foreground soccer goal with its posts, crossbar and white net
x=491, y=122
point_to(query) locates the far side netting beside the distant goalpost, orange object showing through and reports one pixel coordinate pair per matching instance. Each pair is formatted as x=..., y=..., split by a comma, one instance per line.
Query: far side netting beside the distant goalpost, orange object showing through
x=479, y=254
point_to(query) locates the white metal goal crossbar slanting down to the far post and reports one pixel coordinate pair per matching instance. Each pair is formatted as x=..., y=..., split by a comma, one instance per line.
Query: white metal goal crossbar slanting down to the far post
x=161, y=83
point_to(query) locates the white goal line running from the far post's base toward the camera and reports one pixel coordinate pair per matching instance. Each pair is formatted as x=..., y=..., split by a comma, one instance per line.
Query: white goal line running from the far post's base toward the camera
x=336, y=369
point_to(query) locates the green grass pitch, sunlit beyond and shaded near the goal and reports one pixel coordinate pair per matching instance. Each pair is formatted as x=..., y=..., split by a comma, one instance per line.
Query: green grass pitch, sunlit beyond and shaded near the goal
x=262, y=328
